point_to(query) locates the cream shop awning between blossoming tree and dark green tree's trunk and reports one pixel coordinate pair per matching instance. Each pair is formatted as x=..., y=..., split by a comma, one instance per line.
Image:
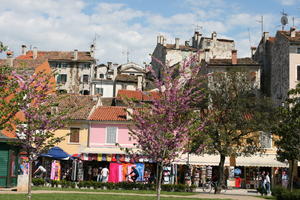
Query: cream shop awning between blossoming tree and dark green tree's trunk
x=204, y=159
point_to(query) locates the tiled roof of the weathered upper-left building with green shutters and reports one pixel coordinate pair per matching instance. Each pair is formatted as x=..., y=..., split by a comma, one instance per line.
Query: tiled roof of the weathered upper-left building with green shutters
x=57, y=55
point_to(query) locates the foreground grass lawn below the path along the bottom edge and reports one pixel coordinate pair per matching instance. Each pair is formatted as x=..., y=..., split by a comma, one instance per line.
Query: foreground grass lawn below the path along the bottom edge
x=82, y=197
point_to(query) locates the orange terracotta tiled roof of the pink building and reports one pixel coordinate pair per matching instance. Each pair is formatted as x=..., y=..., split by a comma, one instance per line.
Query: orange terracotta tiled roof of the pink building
x=109, y=113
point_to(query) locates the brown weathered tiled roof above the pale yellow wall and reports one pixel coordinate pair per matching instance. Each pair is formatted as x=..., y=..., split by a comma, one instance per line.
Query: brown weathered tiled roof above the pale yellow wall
x=80, y=105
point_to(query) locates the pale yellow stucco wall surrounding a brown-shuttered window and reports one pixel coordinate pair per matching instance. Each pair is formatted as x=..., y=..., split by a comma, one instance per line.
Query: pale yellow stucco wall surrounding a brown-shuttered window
x=72, y=148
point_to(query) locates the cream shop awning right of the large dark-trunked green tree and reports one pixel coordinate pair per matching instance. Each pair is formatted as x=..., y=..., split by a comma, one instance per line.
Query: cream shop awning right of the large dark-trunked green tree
x=264, y=160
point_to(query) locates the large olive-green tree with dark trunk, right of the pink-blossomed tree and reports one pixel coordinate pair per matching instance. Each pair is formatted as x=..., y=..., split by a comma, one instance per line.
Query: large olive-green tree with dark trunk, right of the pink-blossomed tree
x=234, y=115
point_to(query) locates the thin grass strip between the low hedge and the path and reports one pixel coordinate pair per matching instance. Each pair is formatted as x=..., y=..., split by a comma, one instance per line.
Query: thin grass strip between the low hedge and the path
x=115, y=191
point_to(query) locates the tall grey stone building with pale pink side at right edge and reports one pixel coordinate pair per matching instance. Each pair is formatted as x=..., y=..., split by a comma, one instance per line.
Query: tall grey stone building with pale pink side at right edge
x=280, y=59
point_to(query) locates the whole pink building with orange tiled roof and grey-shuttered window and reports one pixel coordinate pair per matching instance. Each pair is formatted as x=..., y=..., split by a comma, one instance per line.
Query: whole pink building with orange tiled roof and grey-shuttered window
x=108, y=131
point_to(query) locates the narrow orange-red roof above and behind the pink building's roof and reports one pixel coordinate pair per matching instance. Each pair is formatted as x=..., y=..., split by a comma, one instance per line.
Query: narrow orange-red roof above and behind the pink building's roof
x=137, y=95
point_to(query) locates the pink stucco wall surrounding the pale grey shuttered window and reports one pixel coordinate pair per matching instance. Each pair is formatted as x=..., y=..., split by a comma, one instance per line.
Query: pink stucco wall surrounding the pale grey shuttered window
x=98, y=135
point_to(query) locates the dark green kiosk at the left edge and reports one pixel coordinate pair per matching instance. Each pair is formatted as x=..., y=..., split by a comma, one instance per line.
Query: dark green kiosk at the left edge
x=9, y=163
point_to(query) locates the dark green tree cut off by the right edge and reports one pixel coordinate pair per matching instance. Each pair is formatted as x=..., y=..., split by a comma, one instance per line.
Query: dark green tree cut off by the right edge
x=288, y=130
